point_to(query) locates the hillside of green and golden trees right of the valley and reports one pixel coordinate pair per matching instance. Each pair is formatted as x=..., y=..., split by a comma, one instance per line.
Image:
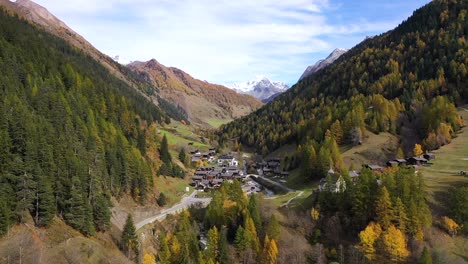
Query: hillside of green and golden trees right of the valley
x=411, y=76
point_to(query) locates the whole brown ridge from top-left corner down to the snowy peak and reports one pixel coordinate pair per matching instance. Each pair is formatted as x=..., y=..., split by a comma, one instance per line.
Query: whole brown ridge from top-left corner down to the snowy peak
x=197, y=100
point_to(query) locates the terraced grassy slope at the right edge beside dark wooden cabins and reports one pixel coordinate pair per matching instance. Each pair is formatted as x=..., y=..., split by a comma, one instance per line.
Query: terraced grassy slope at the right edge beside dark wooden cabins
x=450, y=160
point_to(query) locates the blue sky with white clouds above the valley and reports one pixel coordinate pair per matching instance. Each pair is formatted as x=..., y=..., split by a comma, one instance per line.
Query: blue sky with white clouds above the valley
x=226, y=41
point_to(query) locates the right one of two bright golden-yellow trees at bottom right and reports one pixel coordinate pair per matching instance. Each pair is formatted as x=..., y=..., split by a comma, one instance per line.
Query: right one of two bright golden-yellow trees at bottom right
x=394, y=244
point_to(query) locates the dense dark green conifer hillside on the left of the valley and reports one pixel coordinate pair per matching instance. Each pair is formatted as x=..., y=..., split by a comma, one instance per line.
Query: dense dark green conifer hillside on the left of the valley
x=71, y=134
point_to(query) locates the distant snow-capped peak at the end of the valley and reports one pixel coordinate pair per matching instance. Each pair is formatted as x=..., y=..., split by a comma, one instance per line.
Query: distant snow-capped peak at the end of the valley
x=262, y=88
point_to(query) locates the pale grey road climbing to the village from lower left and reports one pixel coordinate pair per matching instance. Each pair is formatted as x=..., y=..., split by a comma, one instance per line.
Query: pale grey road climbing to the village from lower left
x=177, y=208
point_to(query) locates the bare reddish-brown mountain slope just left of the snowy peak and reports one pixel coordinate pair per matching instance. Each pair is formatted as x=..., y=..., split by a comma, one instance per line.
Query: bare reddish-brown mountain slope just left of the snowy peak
x=201, y=101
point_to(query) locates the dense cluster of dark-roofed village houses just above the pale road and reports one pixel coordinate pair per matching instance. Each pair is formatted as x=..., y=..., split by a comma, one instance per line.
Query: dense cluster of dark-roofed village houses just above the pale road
x=212, y=177
